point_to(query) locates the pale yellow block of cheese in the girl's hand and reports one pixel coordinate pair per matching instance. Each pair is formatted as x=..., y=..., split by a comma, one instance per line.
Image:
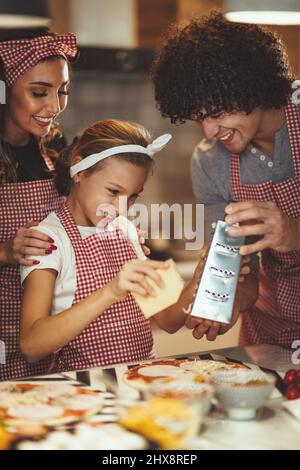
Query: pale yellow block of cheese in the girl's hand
x=165, y=296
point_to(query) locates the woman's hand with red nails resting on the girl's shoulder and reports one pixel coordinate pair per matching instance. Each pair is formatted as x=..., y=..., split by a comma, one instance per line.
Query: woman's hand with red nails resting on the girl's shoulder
x=28, y=241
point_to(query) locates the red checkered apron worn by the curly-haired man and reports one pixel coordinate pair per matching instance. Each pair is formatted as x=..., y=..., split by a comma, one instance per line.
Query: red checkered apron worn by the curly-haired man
x=275, y=318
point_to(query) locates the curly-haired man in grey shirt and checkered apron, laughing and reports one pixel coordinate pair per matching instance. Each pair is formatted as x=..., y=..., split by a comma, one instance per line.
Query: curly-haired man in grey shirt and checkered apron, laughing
x=235, y=82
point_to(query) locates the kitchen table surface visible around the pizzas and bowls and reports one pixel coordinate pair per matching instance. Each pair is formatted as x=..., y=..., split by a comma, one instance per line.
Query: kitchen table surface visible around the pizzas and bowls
x=274, y=427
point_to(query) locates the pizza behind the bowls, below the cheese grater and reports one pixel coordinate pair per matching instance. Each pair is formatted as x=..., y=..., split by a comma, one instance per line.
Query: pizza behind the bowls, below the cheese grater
x=142, y=376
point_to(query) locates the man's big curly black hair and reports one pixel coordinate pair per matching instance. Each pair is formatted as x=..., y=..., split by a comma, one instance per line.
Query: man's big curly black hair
x=219, y=66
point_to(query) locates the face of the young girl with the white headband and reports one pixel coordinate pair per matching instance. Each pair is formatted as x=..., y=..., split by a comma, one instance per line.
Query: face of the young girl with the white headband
x=117, y=184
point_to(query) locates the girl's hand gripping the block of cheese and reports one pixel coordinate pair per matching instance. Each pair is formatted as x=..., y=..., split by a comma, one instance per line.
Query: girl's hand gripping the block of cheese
x=132, y=278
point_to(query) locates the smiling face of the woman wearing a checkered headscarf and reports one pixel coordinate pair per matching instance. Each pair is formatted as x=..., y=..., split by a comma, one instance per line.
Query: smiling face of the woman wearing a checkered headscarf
x=35, y=100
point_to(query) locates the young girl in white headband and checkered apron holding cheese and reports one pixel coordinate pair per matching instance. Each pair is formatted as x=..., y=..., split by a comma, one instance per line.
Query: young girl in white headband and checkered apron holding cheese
x=77, y=306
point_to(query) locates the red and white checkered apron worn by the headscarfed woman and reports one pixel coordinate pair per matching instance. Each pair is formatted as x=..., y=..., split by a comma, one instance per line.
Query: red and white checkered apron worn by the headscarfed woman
x=19, y=203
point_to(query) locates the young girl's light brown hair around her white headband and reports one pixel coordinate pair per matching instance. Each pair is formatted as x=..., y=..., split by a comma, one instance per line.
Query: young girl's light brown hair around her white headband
x=99, y=136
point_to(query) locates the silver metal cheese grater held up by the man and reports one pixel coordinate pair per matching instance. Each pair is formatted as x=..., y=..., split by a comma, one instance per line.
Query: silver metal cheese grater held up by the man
x=214, y=298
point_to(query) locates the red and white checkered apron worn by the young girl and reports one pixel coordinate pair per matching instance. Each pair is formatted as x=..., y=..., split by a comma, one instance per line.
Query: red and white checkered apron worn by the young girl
x=121, y=333
